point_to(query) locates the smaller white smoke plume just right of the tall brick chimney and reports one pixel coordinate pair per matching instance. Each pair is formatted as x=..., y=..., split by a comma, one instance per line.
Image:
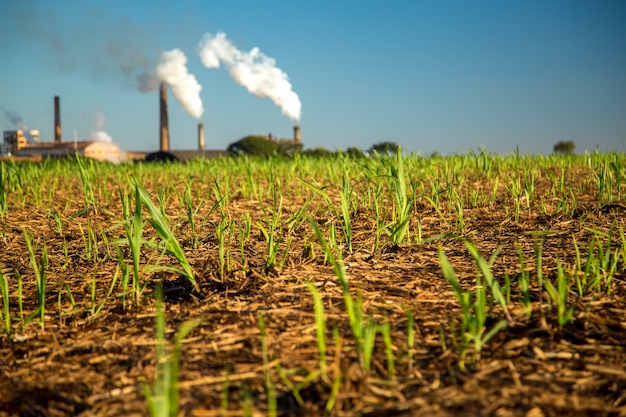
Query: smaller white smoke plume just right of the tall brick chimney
x=186, y=90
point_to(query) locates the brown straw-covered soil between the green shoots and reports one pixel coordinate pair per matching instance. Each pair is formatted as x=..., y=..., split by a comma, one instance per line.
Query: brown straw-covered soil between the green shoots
x=94, y=363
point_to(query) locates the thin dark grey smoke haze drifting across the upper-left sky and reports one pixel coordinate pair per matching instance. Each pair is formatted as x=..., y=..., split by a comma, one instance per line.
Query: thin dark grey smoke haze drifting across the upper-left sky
x=109, y=48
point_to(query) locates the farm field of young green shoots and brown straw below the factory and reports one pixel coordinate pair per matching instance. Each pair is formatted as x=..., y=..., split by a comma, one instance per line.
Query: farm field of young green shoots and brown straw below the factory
x=396, y=285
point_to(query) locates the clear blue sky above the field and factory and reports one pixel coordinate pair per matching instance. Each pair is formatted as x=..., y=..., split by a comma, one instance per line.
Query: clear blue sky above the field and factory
x=445, y=76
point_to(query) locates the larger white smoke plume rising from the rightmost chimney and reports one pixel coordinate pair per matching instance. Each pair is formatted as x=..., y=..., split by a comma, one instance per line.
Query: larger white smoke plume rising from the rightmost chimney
x=253, y=70
